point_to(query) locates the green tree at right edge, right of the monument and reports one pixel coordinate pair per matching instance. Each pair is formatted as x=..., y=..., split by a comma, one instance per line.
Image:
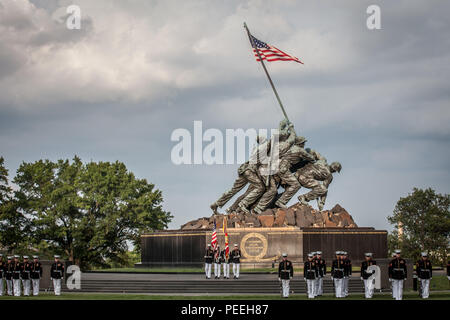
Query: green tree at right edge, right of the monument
x=424, y=217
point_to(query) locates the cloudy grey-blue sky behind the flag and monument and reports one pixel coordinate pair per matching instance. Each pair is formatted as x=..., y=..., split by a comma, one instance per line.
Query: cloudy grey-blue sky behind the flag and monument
x=375, y=100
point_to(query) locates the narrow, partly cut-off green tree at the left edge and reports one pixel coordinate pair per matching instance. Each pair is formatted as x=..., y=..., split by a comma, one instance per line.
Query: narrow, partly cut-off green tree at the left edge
x=14, y=225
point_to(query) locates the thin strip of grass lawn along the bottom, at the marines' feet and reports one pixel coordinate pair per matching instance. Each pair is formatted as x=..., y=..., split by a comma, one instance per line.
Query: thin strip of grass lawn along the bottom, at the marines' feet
x=410, y=295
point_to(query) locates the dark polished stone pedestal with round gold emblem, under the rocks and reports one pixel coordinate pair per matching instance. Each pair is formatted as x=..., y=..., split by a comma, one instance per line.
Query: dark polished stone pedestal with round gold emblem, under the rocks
x=261, y=246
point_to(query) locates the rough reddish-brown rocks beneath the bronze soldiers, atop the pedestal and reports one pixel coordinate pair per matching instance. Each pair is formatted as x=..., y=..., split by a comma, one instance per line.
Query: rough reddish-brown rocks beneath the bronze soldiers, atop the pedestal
x=298, y=215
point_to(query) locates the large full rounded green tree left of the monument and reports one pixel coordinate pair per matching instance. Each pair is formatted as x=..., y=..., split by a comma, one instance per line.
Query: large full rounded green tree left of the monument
x=90, y=213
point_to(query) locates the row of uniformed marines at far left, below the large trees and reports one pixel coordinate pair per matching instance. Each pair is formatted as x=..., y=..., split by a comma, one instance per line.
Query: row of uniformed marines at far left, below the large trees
x=26, y=275
